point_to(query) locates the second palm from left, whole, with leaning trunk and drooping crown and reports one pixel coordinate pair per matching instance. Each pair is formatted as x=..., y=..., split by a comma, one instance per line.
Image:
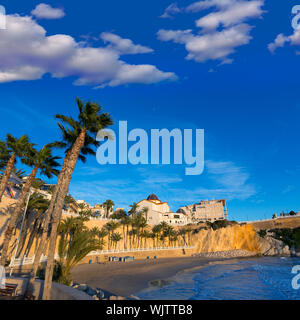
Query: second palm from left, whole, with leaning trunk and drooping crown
x=42, y=161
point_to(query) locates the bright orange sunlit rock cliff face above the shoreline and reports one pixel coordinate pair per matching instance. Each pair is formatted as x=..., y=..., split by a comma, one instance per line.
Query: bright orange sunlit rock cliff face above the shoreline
x=224, y=239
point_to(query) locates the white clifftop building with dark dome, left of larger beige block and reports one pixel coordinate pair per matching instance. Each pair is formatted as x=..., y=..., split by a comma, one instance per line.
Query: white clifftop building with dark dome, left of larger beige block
x=160, y=211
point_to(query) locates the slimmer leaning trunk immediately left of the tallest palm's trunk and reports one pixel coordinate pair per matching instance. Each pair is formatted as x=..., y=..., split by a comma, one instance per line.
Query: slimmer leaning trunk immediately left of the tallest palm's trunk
x=45, y=227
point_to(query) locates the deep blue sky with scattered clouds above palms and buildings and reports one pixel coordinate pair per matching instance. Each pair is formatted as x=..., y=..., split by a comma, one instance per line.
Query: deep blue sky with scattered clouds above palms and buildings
x=228, y=69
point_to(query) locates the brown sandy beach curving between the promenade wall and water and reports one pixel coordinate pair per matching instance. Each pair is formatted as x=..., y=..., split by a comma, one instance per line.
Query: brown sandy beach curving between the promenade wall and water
x=127, y=278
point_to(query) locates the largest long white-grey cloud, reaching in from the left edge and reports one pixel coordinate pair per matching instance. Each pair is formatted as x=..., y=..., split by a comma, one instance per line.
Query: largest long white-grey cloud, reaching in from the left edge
x=27, y=53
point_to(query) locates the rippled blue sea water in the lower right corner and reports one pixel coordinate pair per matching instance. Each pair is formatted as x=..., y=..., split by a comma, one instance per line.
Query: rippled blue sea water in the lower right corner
x=265, y=278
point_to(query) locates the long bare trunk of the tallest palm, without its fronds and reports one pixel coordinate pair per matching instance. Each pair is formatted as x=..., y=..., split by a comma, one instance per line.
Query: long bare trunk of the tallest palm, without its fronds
x=58, y=212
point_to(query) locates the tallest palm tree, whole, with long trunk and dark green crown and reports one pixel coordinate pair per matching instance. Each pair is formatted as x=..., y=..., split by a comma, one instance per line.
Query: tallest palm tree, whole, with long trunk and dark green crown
x=82, y=135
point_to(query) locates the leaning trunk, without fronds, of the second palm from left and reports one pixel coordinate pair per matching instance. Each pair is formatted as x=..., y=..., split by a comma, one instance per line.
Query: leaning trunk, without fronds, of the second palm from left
x=13, y=219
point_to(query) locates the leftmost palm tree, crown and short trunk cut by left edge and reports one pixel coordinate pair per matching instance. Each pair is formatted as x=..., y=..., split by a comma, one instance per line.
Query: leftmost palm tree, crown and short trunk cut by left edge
x=13, y=148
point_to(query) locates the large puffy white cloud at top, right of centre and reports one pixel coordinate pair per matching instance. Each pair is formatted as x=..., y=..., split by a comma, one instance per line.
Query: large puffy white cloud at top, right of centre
x=221, y=31
